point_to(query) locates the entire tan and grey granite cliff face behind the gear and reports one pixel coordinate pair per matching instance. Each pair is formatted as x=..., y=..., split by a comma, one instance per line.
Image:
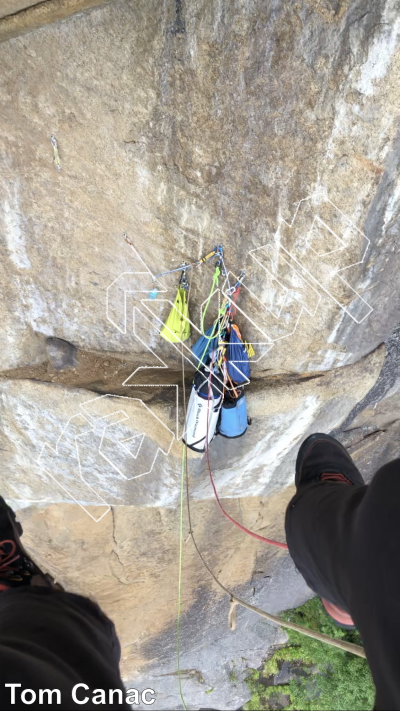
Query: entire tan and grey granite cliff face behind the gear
x=271, y=128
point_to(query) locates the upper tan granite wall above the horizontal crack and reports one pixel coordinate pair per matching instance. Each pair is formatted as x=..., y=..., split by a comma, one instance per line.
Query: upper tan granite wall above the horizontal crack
x=187, y=138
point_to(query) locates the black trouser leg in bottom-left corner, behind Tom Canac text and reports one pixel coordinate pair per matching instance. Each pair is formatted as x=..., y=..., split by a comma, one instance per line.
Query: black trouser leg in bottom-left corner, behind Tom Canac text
x=56, y=640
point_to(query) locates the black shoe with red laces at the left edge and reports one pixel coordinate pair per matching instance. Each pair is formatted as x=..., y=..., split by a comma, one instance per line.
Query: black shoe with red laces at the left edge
x=16, y=566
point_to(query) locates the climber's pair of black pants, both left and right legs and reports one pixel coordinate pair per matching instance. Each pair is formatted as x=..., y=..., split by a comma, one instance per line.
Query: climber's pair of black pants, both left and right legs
x=344, y=540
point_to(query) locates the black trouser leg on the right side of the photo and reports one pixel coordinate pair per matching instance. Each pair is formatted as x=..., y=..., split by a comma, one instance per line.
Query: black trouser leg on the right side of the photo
x=345, y=541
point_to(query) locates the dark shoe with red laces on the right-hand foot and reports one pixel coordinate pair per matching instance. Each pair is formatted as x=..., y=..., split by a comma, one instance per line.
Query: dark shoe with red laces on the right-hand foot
x=322, y=458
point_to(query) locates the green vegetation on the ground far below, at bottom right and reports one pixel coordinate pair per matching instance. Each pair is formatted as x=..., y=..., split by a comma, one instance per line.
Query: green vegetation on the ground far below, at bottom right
x=334, y=680
